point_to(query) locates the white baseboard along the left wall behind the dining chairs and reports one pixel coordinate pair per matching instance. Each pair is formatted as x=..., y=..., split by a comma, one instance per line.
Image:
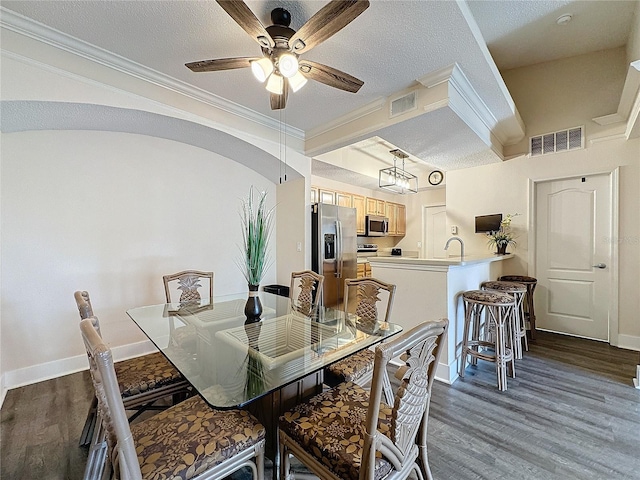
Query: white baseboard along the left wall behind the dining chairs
x=58, y=368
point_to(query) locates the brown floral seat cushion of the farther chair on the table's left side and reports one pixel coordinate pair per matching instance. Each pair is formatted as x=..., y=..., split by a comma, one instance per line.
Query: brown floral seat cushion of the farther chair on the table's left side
x=148, y=372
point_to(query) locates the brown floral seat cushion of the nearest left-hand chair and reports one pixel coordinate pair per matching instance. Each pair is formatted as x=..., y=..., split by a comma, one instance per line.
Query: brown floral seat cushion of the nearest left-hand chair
x=186, y=439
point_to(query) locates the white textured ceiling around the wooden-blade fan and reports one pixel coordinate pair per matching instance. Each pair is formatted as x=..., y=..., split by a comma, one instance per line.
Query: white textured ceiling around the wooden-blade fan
x=390, y=46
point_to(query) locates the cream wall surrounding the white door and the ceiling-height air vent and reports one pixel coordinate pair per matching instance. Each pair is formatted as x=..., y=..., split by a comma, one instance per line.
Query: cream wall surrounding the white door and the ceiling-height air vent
x=553, y=96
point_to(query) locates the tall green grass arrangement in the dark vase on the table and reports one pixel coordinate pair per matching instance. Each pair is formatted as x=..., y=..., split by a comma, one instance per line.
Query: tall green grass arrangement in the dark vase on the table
x=257, y=223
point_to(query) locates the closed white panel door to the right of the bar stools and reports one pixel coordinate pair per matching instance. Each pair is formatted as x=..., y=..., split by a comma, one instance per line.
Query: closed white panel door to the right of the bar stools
x=573, y=256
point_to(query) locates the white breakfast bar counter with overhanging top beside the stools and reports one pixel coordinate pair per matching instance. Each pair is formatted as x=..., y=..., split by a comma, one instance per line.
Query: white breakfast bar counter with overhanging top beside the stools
x=432, y=288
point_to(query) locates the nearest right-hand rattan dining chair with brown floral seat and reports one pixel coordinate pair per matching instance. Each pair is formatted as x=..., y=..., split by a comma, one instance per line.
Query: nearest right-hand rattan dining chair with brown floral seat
x=349, y=433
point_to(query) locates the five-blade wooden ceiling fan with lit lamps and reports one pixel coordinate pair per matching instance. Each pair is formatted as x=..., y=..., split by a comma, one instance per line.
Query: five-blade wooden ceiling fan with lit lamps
x=280, y=65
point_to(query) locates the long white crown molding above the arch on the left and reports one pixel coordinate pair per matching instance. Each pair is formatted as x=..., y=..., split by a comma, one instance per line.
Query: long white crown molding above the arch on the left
x=35, y=30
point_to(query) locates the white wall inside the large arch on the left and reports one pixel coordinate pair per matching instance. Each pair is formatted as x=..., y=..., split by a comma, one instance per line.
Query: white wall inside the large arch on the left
x=109, y=213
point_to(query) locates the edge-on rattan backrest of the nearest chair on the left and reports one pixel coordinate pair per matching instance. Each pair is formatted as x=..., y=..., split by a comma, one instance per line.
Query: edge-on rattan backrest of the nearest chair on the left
x=112, y=413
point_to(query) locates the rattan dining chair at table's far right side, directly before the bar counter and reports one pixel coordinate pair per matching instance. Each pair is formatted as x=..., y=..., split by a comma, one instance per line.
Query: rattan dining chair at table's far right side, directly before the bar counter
x=367, y=298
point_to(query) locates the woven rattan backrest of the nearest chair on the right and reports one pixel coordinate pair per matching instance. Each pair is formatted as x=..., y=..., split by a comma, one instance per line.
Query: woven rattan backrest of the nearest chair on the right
x=420, y=349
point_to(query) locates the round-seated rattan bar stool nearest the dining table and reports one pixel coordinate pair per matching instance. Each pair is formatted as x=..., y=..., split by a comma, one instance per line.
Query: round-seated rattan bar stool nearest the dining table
x=497, y=306
